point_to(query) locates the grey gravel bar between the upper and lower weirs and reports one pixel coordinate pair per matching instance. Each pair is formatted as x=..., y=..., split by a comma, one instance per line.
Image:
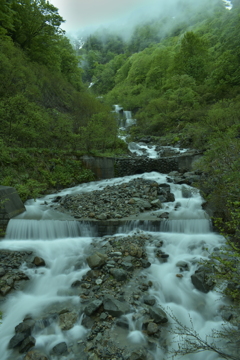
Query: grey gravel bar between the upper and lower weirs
x=128, y=200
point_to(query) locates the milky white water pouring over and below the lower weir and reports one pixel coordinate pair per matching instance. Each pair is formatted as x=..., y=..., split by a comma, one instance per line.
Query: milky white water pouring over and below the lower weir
x=186, y=235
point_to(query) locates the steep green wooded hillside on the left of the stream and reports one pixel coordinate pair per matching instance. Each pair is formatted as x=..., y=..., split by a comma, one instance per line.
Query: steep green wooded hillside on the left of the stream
x=46, y=111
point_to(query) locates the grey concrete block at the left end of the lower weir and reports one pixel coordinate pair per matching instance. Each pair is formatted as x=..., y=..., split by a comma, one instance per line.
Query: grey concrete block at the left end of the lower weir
x=10, y=205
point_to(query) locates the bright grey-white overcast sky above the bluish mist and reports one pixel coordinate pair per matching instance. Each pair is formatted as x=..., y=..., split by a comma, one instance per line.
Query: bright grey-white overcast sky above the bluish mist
x=80, y=14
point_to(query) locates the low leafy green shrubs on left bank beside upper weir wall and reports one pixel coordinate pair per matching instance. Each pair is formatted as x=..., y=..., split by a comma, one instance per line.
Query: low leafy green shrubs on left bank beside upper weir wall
x=34, y=171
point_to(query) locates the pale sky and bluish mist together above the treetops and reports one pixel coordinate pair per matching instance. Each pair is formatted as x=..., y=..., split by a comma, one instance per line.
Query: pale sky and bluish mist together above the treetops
x=121, y=16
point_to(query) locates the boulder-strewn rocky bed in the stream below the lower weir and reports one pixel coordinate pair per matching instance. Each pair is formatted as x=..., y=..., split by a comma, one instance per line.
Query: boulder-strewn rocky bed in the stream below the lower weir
x=119, y=319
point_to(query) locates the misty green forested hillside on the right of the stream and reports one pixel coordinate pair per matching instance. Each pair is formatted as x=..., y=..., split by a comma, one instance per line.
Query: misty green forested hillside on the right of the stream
x=180, y=75
